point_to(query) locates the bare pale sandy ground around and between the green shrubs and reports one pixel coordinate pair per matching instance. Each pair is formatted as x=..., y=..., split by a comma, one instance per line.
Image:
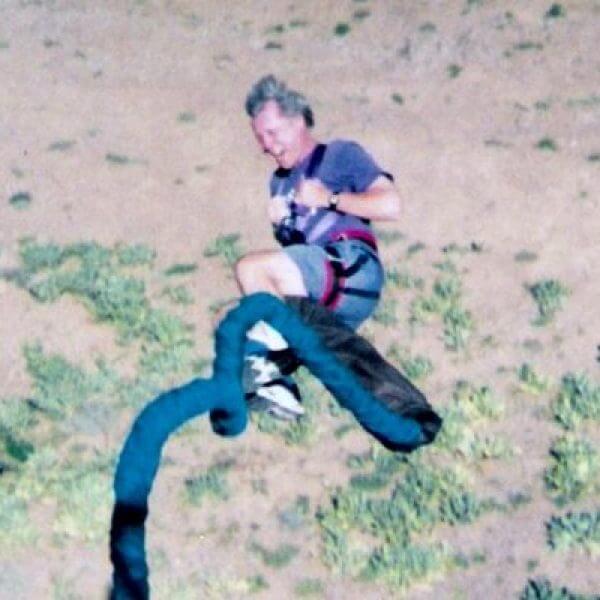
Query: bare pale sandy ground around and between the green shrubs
x=113, y=77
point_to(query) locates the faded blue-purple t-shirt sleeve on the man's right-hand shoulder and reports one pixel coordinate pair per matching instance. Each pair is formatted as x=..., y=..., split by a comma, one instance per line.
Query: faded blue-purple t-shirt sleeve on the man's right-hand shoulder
x=350, y=167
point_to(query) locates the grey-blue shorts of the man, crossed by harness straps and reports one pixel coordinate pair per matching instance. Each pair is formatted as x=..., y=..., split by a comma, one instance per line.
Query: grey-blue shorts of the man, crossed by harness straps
x=318, y=276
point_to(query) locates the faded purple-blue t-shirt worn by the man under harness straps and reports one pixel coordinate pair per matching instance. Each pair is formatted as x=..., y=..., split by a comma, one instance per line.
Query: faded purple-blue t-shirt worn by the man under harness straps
x=345, y=167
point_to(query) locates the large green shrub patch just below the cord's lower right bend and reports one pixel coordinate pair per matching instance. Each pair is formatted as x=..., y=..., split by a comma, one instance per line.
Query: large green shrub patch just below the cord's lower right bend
x=370, y=529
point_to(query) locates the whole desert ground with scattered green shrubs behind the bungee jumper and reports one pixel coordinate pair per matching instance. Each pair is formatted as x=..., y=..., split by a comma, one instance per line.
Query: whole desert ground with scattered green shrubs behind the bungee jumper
x=131, y=182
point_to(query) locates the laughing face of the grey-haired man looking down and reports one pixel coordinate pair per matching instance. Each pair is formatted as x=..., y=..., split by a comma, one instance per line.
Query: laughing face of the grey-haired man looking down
x=279, y=135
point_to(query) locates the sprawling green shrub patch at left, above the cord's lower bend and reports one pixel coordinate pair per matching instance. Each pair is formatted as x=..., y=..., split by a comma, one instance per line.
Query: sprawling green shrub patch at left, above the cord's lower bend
x=100, y=279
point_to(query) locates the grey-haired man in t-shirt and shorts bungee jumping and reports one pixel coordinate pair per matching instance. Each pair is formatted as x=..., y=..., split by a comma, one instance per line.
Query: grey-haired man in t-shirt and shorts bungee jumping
x=323, y=198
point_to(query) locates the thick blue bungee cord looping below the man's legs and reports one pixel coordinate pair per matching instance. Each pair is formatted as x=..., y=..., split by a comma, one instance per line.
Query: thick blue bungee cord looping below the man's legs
x=223, y=397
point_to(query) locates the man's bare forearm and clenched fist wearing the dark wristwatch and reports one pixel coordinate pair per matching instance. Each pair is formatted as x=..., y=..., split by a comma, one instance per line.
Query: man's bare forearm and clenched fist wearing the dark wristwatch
x=380, y=201
